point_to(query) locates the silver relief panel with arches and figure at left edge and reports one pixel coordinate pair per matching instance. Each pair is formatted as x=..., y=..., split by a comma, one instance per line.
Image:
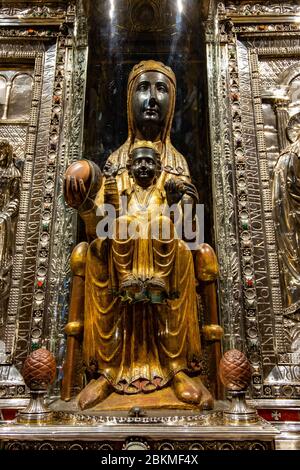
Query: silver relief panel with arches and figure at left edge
x=16, y=93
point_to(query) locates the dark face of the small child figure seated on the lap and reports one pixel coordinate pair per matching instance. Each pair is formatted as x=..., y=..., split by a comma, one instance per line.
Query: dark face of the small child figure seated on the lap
x=143, y=166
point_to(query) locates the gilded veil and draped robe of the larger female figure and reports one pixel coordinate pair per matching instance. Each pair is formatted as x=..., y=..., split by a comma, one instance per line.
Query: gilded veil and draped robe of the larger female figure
x=139, y=347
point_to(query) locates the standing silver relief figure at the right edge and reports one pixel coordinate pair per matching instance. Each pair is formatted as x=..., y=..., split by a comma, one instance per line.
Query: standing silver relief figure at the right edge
x=286, y=213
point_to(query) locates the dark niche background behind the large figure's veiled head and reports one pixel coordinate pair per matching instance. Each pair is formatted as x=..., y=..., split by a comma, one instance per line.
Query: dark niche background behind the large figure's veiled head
x=124, y=32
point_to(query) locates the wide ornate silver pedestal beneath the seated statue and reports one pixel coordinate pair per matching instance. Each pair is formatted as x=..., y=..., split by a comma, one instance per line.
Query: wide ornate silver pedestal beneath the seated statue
x=159, y=430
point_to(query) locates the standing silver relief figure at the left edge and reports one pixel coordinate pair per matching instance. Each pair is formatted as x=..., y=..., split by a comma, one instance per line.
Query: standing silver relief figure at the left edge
x=10, y=178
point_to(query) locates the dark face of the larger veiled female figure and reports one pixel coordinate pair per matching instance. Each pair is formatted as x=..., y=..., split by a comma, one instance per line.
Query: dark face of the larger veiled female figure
x=151, y=99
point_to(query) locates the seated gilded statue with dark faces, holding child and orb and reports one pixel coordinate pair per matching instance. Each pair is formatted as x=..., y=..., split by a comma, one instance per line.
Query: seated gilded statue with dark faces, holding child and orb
x=134, y=299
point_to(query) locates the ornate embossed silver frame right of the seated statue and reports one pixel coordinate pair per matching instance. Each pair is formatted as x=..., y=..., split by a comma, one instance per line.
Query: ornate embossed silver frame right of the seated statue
x=250, y=294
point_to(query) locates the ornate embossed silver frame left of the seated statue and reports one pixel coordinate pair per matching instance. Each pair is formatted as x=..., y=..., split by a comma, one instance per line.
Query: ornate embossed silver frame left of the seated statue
x=53, y=36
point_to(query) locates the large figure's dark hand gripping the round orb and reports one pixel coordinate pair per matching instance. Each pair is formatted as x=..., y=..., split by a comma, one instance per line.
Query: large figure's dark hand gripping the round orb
x=76, y=183
